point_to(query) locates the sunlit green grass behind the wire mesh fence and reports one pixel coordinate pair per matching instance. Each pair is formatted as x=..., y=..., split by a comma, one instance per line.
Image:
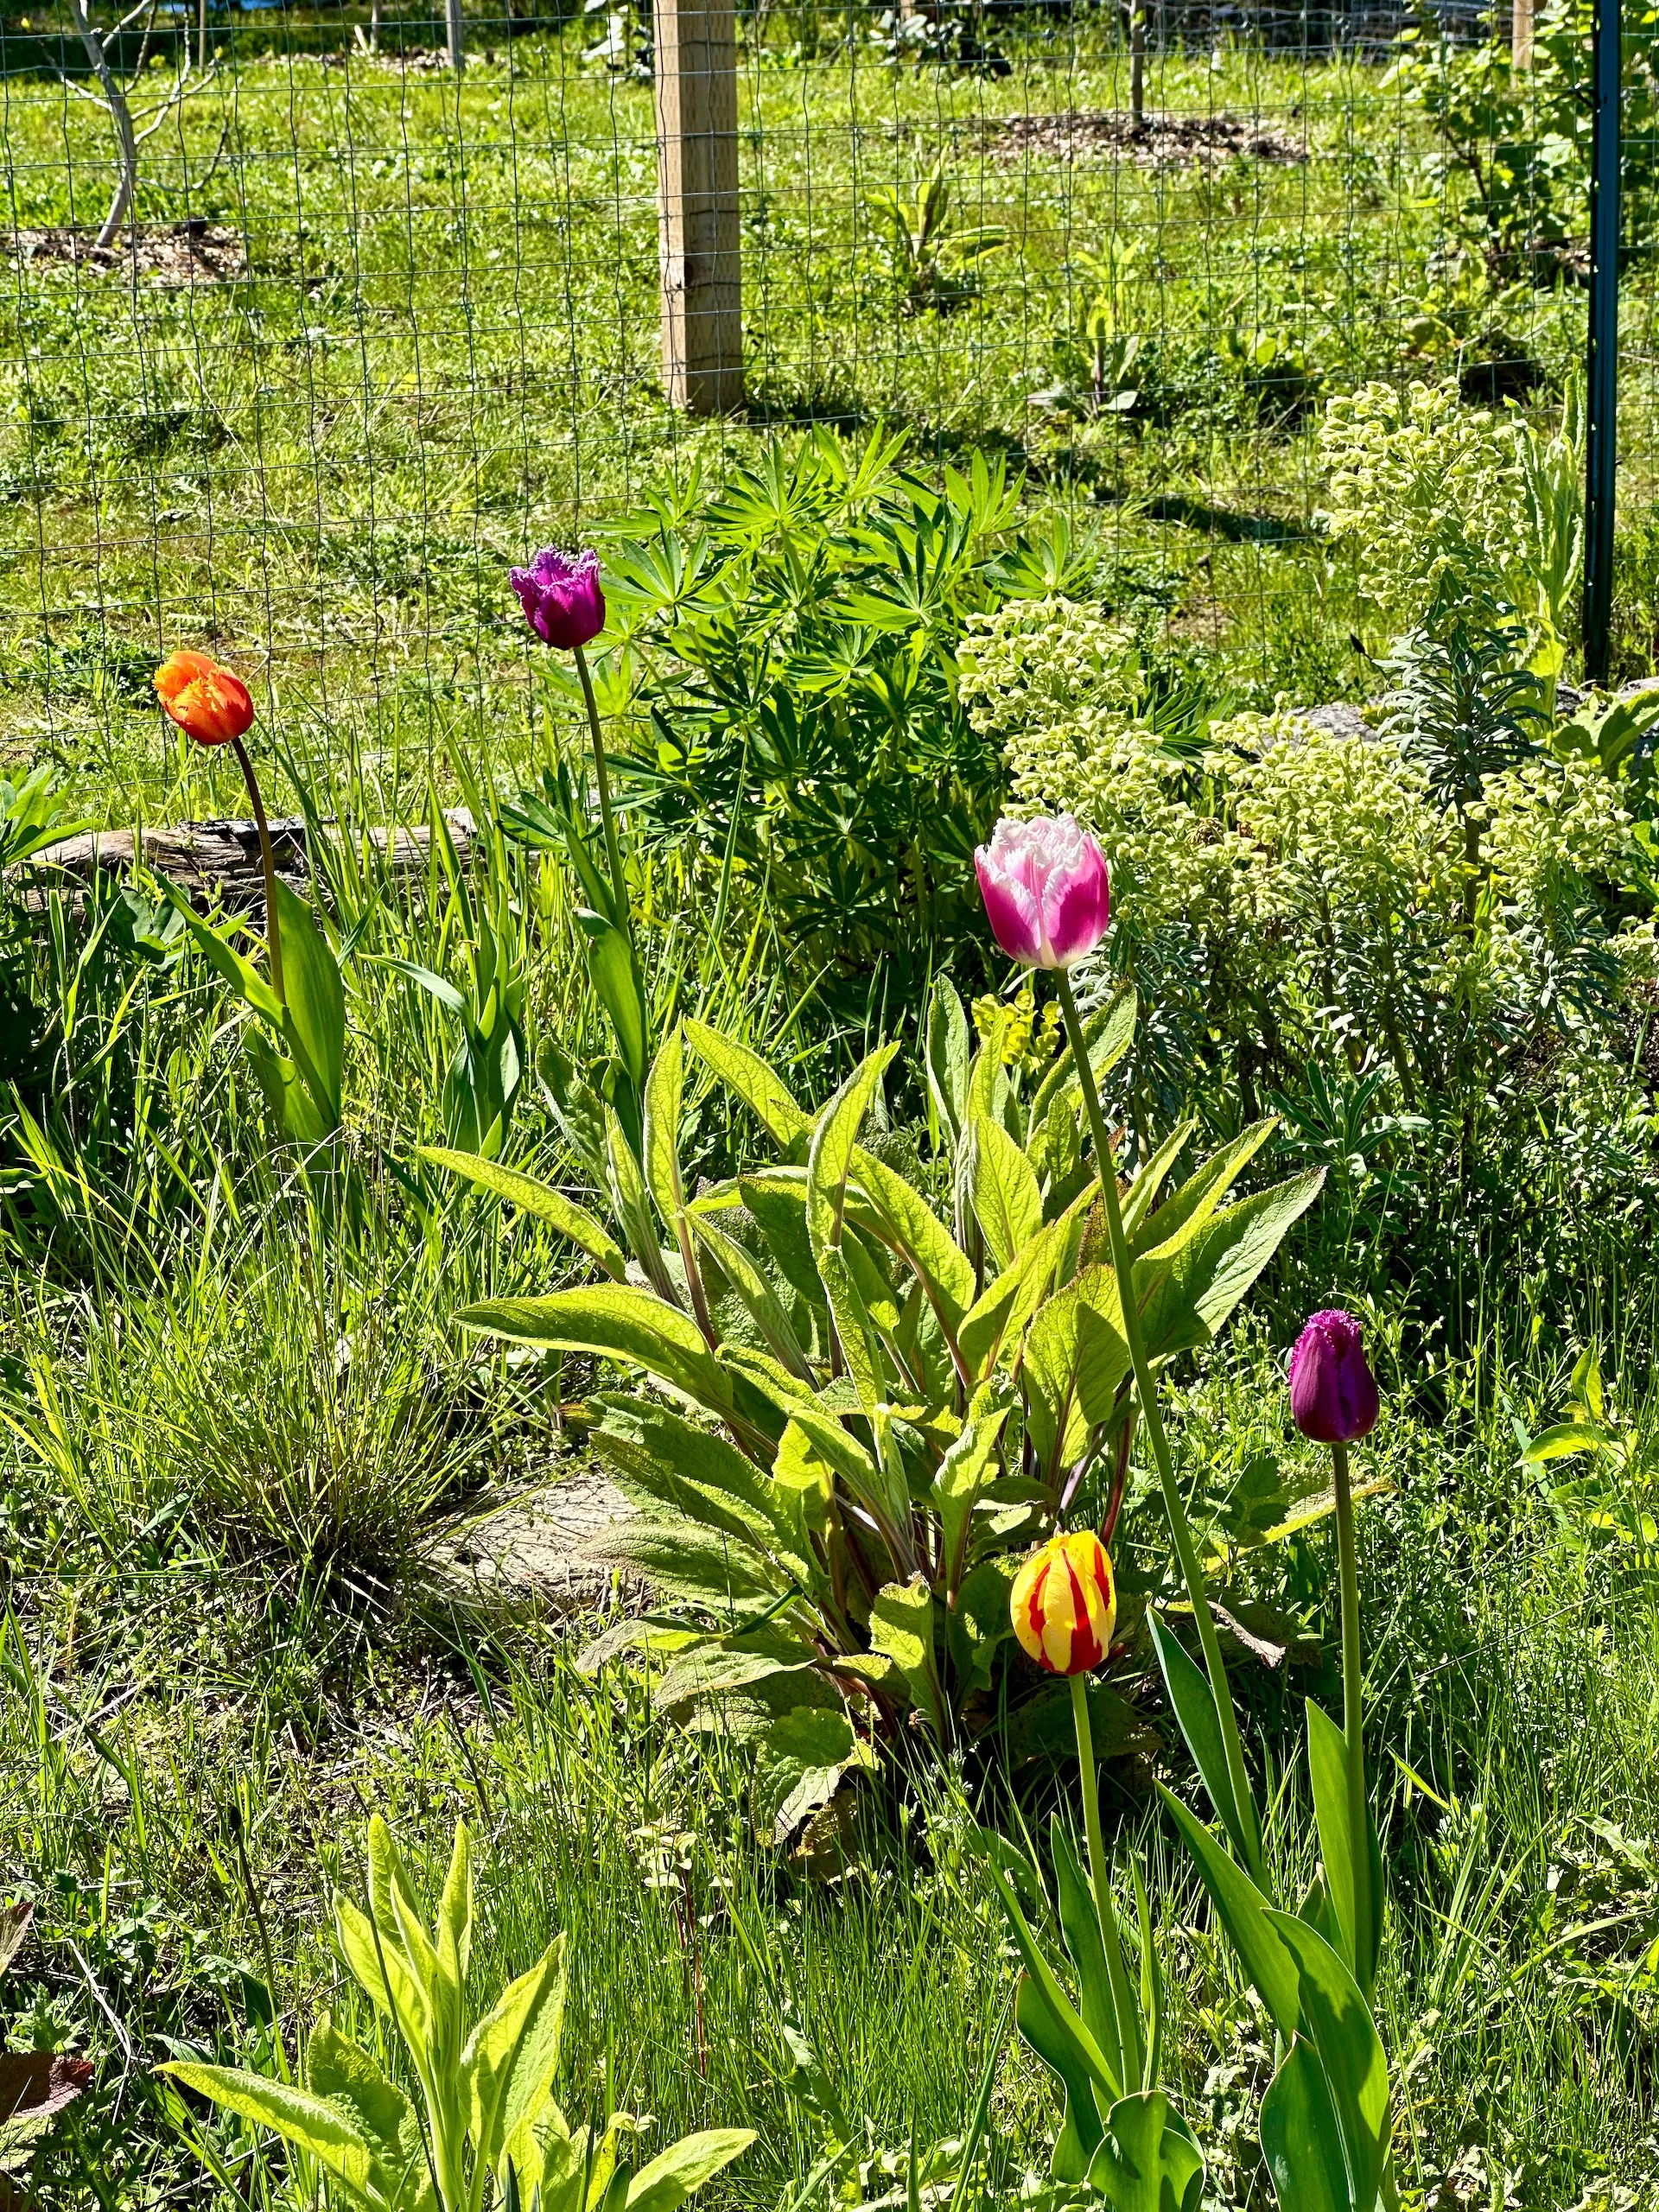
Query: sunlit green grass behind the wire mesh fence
x=446, y=353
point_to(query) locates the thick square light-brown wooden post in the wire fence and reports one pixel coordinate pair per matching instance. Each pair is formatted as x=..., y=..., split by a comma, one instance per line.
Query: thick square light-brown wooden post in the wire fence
x=702, y=249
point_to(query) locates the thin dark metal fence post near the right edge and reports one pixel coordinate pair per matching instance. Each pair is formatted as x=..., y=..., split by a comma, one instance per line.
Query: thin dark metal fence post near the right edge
x=1603, y=362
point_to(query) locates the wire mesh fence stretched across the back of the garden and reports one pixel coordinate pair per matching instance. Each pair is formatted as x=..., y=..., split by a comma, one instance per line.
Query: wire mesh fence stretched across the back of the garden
x=371, y=326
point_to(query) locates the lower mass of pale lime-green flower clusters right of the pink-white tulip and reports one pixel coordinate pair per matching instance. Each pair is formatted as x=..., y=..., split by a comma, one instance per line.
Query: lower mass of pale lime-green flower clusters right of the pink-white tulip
x=1300, y=890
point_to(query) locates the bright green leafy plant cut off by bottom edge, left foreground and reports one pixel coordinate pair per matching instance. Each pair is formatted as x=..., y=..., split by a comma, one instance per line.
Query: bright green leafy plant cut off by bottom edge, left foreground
x=486, y=2111
